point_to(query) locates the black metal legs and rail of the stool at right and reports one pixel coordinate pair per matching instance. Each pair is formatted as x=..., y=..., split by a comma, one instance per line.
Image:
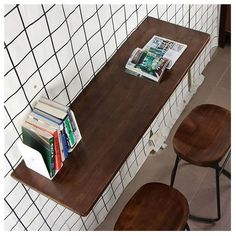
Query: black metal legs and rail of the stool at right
x=219, y=170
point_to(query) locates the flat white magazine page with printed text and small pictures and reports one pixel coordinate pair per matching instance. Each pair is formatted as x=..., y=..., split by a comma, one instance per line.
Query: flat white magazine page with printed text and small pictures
x=166, y=48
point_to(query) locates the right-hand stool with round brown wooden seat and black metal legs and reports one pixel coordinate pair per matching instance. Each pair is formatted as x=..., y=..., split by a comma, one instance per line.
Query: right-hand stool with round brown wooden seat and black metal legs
x=203, y=139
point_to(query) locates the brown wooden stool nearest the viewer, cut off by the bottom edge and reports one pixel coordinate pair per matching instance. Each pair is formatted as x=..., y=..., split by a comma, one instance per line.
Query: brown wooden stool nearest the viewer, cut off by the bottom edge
x=155, y=206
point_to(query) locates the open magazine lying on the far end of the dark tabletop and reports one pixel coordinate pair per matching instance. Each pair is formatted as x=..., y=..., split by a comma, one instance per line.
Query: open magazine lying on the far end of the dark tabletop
x=156, y=56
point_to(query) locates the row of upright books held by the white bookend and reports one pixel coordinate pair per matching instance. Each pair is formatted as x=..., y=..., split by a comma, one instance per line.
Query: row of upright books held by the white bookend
x=52, y=130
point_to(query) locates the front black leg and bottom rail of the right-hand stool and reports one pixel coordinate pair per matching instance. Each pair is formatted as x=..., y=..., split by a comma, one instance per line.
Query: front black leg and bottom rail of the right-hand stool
x=211, y=220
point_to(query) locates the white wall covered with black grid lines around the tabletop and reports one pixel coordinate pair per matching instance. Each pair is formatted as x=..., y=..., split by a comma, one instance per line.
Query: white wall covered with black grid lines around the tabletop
x=55, y=51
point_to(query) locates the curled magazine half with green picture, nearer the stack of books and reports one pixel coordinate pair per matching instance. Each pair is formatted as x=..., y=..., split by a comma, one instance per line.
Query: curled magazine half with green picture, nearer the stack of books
x=147, y=63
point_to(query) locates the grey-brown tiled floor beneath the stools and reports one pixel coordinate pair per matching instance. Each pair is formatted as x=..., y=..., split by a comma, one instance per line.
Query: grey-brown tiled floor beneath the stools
x=196, y=183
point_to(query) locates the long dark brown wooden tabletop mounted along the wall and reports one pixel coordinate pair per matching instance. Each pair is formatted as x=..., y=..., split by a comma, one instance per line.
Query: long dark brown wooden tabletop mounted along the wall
x=113, y=112
